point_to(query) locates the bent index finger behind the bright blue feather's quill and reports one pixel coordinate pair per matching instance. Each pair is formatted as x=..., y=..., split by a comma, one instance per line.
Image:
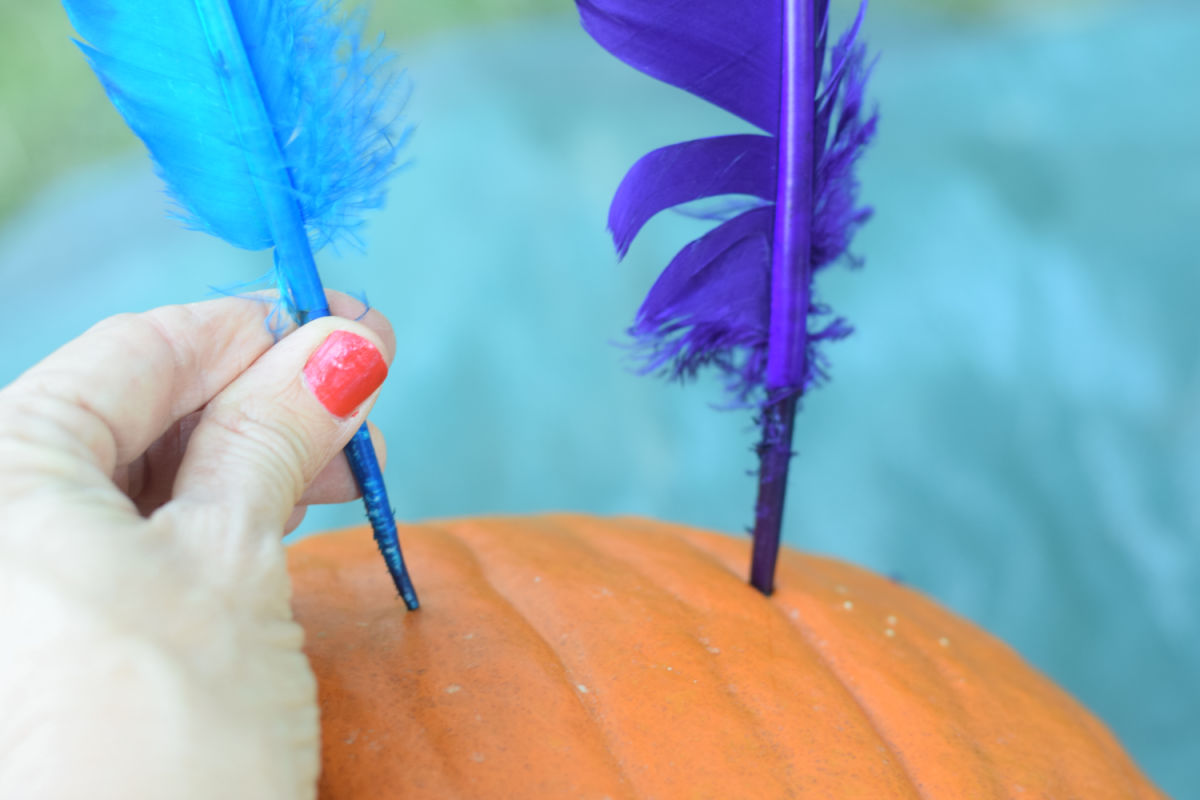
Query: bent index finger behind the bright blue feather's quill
x=112, y=393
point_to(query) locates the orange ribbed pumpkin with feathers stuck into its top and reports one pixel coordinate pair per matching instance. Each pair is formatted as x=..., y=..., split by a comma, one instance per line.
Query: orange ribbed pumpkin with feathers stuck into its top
x=574, y=657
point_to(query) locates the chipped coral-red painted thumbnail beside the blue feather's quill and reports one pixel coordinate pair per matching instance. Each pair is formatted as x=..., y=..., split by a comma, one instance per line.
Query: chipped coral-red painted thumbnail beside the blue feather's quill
x=344, y=372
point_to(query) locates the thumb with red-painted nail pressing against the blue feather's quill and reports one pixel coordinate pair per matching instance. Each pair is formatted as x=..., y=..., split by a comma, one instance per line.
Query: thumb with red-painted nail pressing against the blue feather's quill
x=266, y=437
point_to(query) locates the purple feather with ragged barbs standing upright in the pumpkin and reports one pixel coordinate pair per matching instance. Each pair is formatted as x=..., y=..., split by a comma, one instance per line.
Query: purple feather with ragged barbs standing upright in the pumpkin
x=741, y=297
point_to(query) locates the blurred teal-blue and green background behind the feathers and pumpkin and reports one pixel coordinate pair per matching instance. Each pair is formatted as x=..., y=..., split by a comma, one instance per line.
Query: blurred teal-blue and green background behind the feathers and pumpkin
x=1015, y=429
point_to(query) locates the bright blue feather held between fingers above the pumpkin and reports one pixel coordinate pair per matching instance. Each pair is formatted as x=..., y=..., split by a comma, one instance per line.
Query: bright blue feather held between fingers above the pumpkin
x=268, y=122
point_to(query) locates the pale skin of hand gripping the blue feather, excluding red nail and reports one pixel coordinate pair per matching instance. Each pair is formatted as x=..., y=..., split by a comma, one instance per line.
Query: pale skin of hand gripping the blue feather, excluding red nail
x=148, y=471
